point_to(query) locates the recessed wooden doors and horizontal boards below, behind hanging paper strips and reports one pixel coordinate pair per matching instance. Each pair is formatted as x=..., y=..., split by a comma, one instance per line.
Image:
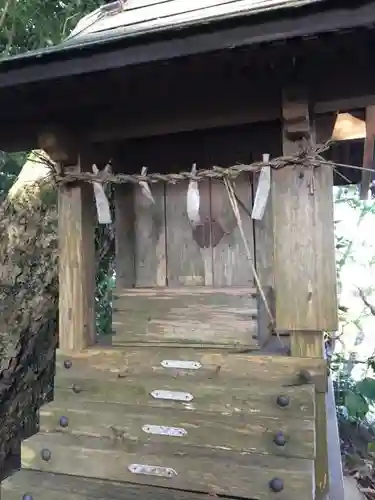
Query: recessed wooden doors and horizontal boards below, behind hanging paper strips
x=168, y=252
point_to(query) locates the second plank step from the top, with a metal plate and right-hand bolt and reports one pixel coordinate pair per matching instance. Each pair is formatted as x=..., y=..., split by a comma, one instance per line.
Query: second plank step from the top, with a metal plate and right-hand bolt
x=230, y=396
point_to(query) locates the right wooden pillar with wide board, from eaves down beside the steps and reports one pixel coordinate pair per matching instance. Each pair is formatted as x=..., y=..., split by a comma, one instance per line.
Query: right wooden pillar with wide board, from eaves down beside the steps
x=304, y=257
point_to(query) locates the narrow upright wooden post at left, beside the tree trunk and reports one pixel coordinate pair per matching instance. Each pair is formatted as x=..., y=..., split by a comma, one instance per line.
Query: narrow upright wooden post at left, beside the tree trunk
x=77, y=261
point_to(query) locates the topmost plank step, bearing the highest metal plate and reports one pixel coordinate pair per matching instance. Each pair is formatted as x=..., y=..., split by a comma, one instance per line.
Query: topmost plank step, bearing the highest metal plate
x=216, y=366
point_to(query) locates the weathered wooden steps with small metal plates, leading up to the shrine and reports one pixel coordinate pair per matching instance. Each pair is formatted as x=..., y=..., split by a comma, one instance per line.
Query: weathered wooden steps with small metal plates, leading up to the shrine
x=176, y=422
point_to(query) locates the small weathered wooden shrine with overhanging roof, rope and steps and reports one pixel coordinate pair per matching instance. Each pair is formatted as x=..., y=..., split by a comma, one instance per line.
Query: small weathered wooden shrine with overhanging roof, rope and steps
x=215, y=379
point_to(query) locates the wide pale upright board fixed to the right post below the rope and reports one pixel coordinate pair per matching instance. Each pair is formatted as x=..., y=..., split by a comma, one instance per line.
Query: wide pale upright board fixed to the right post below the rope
x=302, y=198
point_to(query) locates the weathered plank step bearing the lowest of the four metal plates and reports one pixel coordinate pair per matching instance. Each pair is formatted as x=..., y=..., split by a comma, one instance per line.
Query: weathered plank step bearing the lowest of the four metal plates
x=203, y=470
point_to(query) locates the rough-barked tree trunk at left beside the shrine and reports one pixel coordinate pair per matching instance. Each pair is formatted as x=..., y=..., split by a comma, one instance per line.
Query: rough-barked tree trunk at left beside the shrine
x=28, y=301
